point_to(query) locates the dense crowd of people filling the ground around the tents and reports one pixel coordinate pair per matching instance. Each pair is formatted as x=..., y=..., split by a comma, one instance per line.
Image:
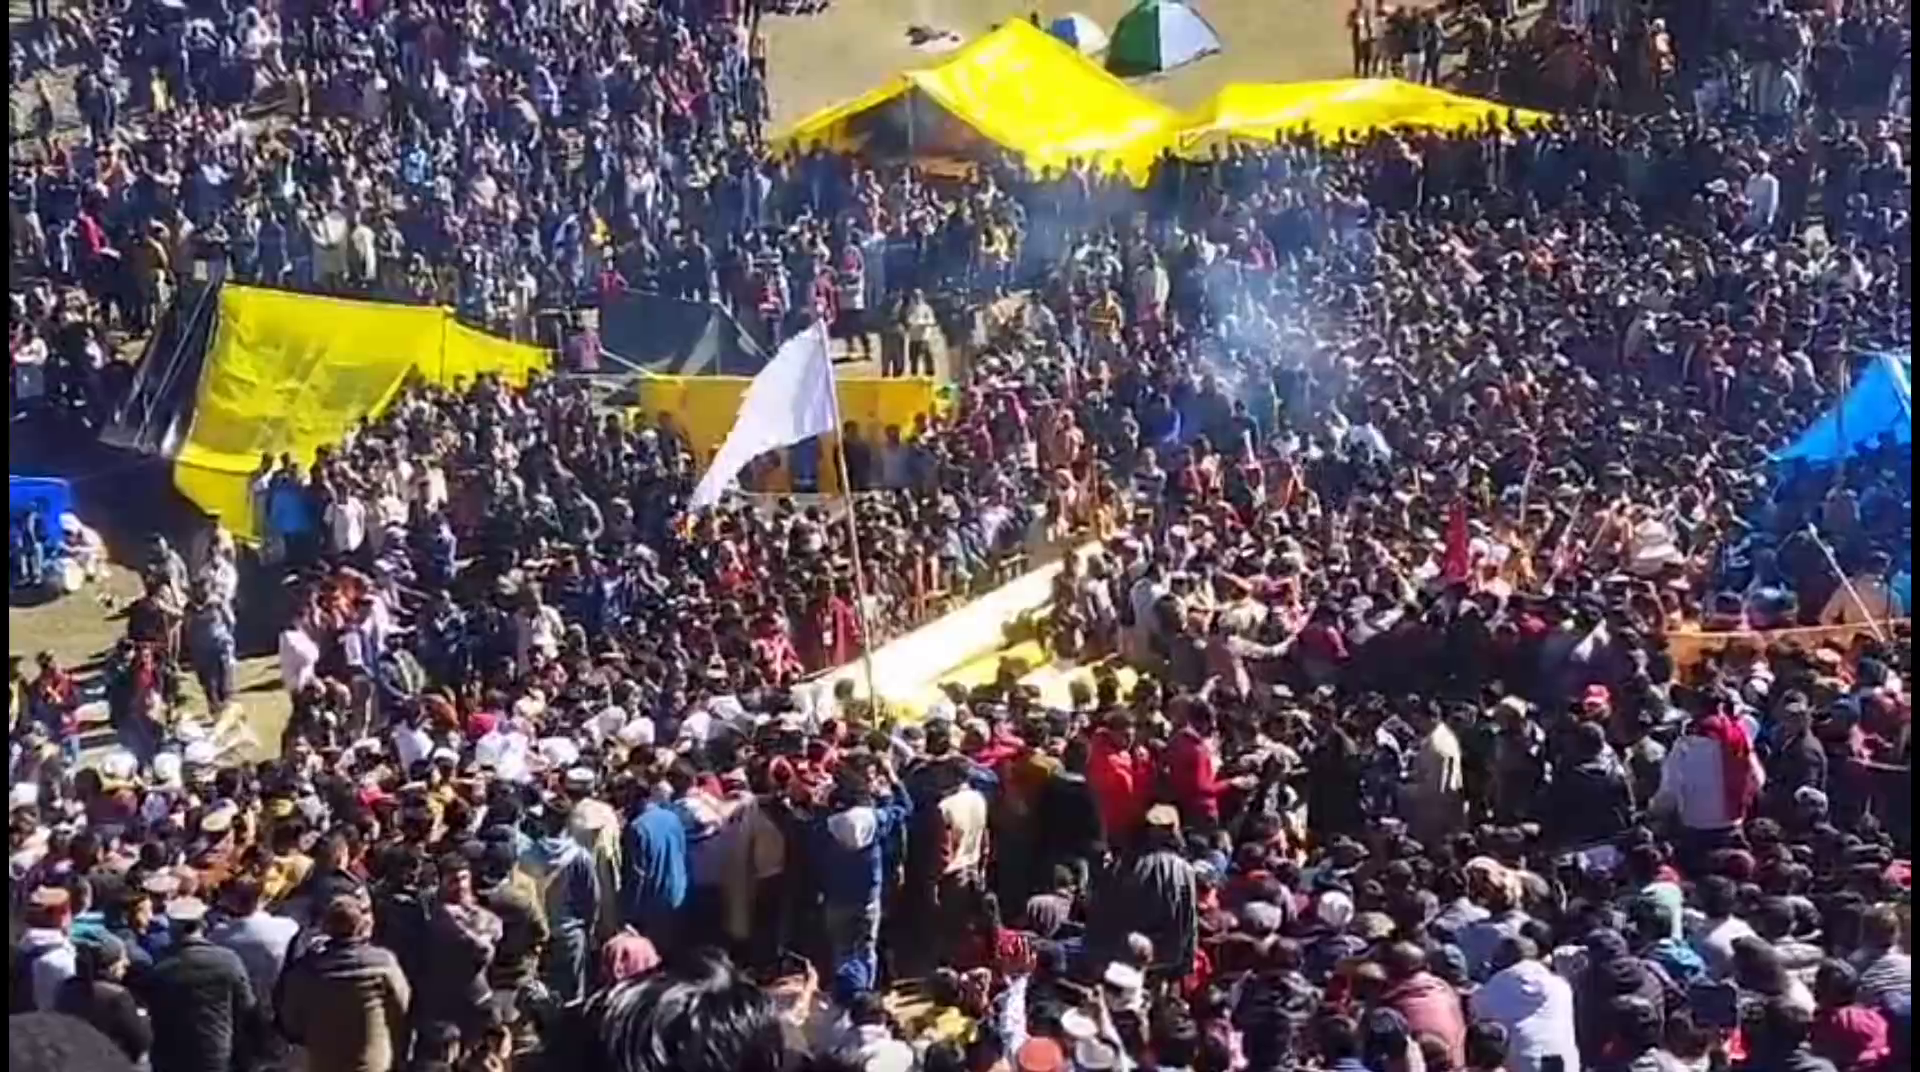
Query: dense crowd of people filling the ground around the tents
x=1395, y=485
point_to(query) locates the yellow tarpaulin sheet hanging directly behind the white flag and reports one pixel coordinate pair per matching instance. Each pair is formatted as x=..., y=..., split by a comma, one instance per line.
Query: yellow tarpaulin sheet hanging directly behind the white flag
x=704, y=408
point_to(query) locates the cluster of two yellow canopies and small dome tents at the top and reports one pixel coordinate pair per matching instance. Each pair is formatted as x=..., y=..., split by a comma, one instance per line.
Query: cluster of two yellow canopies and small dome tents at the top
x=1042, y=95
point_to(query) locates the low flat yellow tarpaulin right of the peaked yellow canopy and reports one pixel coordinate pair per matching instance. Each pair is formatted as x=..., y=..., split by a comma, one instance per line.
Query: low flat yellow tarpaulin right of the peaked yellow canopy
x=1335, y=109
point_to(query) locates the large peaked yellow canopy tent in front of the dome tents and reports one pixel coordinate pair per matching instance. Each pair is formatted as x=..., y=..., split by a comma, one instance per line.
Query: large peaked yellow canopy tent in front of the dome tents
x=1017, y=87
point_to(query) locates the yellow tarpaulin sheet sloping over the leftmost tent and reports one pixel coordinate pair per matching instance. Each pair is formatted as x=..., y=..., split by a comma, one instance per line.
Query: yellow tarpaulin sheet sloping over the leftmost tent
x=291, y=374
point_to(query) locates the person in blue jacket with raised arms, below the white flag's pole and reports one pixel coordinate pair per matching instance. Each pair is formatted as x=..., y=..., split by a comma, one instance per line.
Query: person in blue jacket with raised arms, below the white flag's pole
x=853, y=837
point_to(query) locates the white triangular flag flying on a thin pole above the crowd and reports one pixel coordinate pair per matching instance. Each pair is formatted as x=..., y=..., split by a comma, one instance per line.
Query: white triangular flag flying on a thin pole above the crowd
x=788, y=402
